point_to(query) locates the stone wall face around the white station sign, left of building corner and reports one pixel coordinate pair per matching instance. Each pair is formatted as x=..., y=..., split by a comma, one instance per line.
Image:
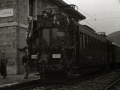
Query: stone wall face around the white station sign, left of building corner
x=8, y=35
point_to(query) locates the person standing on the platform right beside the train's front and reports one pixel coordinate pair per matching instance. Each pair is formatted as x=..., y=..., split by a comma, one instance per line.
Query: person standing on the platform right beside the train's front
x=25, y=63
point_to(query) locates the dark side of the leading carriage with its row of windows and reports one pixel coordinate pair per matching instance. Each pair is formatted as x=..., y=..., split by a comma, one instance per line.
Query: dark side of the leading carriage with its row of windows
x=93, y=52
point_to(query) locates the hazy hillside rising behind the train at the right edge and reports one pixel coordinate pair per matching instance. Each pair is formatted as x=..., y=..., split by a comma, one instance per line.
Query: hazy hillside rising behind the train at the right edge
x=115, y=37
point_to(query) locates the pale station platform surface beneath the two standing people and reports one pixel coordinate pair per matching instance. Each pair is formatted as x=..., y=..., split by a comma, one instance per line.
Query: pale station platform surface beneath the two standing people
x=15, y=79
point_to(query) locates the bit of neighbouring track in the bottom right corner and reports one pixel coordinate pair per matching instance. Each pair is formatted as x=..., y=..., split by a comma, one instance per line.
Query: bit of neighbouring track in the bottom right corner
x=114, y=86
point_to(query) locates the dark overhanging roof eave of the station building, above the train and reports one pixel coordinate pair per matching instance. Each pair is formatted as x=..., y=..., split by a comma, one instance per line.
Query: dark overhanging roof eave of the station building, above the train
x=67, y=8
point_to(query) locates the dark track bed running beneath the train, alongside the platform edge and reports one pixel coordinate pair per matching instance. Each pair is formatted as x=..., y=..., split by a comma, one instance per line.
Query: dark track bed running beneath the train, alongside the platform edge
x=52, y=85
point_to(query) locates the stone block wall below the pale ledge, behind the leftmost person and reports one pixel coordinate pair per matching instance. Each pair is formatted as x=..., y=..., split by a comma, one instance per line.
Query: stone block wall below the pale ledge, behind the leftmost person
x=8, y=45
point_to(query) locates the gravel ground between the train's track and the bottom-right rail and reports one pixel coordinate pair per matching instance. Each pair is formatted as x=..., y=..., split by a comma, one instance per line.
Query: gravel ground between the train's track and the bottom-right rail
x=98, y=83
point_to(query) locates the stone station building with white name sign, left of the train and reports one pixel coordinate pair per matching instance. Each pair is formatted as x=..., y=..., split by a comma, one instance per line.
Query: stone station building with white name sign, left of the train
x=14, y=25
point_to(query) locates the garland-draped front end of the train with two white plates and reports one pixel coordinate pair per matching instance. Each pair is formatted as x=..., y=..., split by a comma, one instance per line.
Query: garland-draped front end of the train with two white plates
x=52, y=43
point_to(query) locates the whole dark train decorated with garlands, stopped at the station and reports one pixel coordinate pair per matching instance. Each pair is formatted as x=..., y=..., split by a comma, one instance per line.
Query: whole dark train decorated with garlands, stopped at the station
x=59, y=47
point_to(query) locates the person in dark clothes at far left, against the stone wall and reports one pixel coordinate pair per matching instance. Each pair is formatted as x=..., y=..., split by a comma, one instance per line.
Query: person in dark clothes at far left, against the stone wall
x=4, y=62
